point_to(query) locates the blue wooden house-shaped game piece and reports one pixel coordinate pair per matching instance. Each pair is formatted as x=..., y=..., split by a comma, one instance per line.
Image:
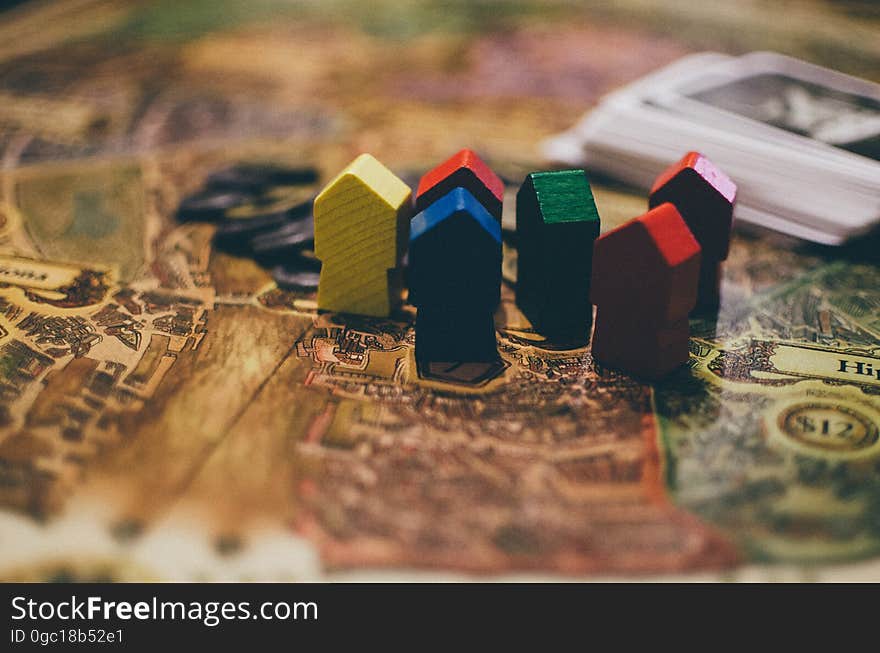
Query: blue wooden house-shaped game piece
x=455, y=278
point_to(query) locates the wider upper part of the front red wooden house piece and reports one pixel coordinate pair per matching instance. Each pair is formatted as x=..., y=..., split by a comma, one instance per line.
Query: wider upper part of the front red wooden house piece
x=647, y=268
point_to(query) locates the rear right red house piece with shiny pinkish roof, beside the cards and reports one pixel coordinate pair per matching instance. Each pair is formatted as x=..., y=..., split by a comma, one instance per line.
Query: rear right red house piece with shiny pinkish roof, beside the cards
x=705, y=198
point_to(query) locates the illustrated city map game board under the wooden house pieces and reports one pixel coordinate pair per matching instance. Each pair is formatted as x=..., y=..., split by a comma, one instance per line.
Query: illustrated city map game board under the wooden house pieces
x=168, y=412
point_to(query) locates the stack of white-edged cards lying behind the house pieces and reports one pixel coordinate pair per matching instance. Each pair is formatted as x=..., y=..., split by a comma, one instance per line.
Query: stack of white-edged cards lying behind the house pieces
x=801, y=142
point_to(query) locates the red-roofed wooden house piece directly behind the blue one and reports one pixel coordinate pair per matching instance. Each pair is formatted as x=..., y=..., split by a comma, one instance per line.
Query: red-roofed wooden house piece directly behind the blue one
x=466, y=170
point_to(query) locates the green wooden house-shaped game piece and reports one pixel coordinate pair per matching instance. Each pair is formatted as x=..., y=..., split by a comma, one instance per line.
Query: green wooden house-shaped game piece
x=556, y=223
